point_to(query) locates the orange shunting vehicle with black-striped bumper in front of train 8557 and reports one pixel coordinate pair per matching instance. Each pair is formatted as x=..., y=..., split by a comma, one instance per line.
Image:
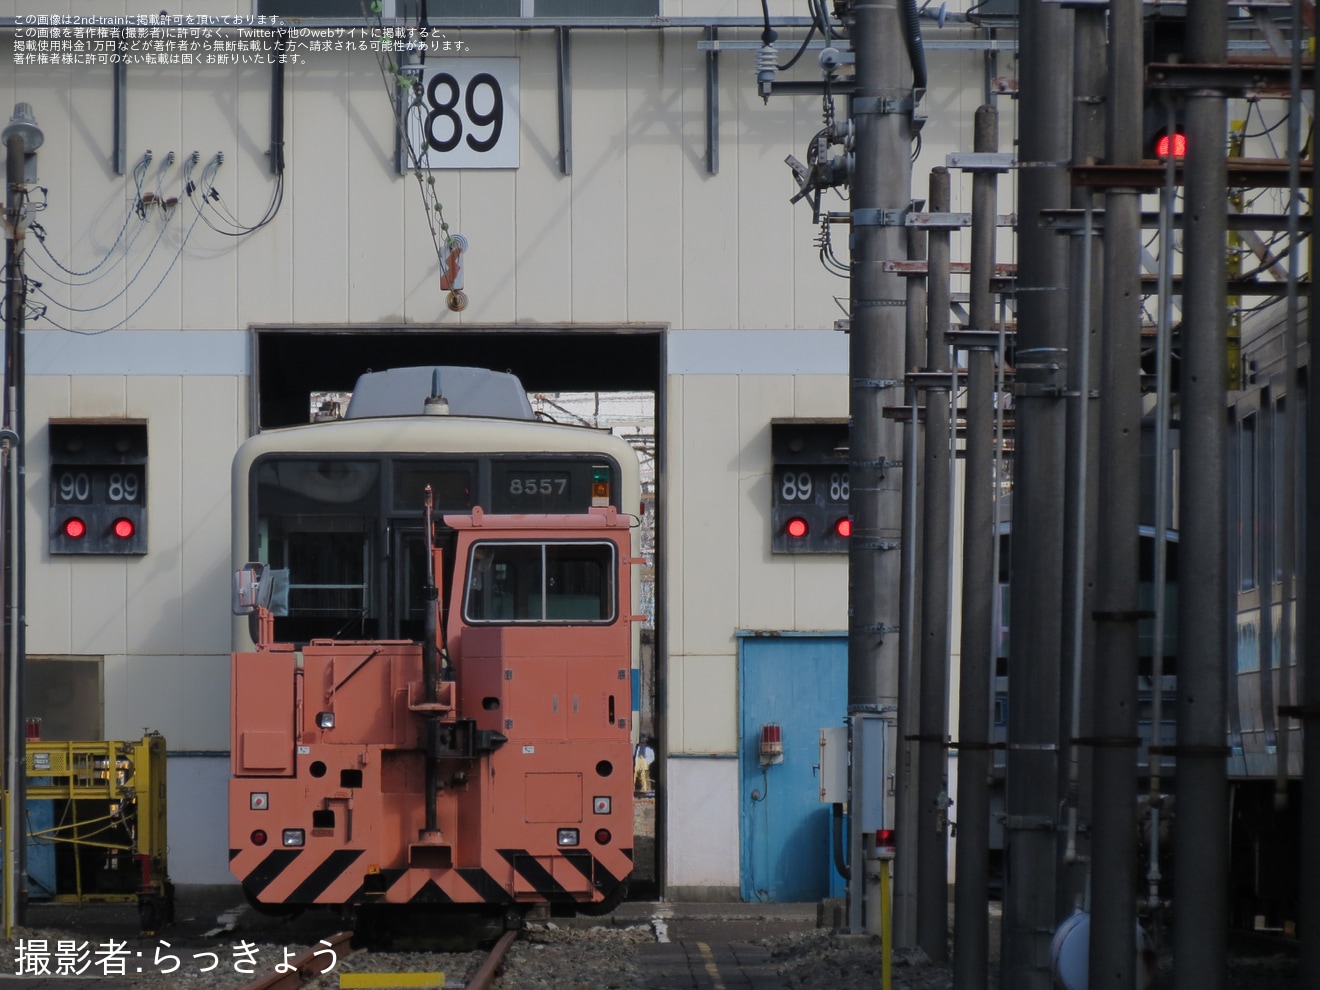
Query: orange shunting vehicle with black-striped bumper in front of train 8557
x=530, y=735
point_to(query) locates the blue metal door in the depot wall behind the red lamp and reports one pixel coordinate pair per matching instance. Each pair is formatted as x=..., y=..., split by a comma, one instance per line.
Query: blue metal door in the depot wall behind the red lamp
x=798, y=682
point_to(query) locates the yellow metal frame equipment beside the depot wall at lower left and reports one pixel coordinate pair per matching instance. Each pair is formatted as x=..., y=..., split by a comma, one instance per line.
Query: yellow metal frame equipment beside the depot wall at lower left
x=97, y=824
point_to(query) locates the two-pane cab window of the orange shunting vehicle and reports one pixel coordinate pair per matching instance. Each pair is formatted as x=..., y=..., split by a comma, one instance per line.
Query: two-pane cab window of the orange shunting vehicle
x=541, y=583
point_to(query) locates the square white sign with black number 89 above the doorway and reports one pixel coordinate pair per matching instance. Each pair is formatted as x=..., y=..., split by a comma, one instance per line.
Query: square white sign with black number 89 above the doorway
x=465, y=117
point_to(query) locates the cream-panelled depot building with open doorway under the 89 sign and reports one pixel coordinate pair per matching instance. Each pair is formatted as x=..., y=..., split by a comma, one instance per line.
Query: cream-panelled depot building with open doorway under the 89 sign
x=222, y=236
